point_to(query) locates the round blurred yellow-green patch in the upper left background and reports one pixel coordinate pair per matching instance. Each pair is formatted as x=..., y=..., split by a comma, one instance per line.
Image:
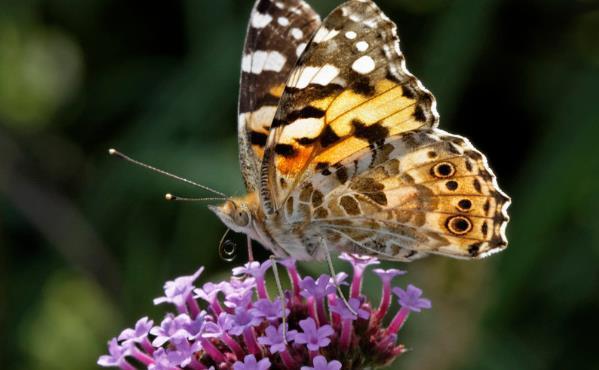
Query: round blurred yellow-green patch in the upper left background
x=39, y=69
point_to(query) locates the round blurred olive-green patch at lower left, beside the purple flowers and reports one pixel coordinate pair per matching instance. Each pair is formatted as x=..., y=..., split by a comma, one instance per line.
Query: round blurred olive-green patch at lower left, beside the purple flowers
x=71, y=312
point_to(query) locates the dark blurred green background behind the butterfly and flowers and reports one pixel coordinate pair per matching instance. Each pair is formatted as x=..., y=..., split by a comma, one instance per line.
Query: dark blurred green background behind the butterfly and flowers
x=87, y=241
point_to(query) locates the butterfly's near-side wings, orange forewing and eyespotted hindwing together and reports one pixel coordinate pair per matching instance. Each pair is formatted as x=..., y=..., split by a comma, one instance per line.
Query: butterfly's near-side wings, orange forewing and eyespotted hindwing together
x=355, y=157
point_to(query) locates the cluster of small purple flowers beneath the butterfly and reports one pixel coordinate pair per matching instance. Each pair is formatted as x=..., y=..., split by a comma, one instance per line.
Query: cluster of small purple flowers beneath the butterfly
x=240, y=326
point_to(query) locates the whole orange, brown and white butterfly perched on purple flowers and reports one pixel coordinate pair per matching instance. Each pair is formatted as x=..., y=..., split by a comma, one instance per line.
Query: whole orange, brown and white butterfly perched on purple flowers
x=339, y=146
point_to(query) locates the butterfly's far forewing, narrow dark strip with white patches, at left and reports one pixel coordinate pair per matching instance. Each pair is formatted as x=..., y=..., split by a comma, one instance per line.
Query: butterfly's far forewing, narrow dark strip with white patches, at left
x=277, y=33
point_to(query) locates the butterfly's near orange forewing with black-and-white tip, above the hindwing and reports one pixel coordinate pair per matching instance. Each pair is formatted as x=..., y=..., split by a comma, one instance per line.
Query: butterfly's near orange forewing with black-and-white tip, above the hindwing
x=349, y=91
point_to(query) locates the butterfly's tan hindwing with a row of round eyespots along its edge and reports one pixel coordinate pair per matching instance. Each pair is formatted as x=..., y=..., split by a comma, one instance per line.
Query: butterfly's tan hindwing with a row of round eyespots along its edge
x=420, y=192
